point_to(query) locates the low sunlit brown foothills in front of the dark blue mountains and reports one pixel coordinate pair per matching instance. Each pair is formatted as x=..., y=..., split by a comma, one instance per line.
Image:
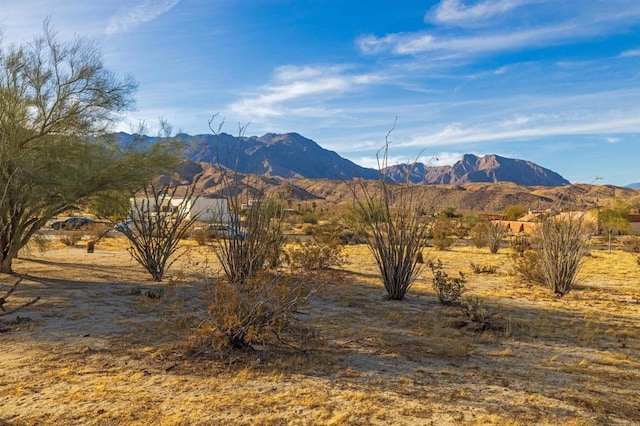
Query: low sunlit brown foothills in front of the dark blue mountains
x=470, y=196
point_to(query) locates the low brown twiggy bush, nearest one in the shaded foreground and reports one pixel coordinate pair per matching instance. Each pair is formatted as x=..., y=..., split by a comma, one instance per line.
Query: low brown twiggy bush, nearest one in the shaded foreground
x=243, y=314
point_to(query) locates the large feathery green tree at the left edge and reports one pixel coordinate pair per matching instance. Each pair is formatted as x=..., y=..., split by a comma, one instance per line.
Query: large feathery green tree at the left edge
x=57, y=99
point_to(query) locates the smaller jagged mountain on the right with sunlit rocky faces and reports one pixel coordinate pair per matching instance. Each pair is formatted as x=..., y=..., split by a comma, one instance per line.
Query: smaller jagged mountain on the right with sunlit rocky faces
x=490, y=168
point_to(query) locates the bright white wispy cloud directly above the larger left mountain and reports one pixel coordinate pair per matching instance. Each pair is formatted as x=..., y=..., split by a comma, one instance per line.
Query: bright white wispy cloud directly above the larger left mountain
x=292, y=85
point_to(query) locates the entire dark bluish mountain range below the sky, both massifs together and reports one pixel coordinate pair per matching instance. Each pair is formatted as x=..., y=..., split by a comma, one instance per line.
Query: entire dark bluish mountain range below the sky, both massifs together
x=291, y=155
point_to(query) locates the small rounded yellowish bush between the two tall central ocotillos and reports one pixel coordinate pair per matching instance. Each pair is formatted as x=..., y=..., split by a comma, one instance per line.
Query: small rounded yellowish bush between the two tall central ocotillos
x=314, y=256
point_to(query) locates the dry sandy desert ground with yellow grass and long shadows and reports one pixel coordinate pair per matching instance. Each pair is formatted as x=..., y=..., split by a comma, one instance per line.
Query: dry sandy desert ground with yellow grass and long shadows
x=97, y=350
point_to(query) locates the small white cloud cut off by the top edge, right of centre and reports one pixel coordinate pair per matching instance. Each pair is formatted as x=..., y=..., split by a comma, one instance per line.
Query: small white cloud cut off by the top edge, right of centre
x=457, y=13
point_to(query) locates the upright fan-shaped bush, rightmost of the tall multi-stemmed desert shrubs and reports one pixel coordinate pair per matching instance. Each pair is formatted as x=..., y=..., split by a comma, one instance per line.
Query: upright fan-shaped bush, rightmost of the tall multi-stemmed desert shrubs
x=562, y=244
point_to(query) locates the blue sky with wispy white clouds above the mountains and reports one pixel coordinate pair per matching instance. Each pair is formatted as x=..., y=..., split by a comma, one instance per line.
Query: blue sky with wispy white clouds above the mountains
x=553, y=82
